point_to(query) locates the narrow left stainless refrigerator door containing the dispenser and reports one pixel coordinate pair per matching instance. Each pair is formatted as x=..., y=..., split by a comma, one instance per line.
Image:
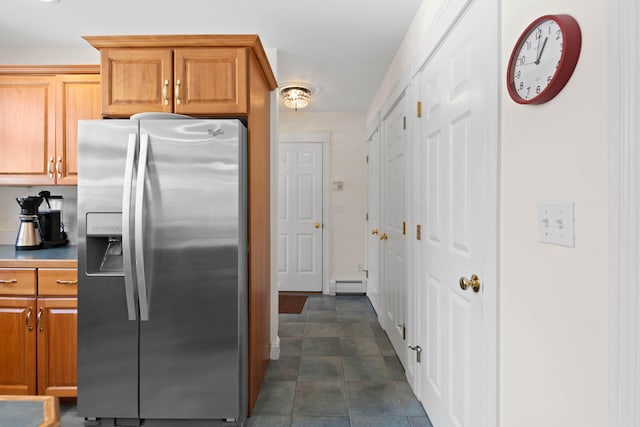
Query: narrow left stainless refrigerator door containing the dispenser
x=107, y=339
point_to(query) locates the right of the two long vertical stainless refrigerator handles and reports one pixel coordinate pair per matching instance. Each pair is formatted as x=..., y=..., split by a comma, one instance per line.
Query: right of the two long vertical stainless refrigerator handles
x=138, y=215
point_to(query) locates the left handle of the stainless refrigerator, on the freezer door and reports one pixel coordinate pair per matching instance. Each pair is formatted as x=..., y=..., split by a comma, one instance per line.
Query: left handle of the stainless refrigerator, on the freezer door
x=126, y=232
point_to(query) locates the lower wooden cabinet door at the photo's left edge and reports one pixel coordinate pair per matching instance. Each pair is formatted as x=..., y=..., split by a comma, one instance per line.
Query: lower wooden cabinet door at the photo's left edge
x=17, y=346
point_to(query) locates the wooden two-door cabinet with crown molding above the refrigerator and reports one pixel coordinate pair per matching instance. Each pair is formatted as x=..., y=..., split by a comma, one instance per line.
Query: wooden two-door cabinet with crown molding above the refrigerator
x=196, y=75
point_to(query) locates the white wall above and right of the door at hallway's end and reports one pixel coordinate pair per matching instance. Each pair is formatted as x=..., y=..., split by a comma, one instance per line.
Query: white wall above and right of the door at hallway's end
x=347, y=164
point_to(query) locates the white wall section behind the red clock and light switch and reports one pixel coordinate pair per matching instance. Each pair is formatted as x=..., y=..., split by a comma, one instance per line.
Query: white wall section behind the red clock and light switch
x=554, y=299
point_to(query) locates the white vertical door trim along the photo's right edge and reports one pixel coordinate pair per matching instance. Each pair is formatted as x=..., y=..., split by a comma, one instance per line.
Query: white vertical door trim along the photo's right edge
x=624, y=213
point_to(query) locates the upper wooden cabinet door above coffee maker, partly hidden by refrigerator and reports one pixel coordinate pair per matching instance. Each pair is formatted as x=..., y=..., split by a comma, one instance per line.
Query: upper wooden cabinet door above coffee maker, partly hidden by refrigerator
x=78, y=98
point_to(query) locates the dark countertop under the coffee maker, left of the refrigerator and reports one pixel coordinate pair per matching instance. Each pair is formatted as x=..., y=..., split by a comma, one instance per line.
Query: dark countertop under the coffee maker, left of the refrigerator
x=63, y=256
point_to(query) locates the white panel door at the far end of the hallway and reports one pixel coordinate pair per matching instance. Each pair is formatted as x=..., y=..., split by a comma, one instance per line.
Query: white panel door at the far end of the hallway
x=300, y=217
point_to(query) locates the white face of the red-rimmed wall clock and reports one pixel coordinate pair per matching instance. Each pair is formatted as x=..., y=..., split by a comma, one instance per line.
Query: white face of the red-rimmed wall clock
x=538, y=60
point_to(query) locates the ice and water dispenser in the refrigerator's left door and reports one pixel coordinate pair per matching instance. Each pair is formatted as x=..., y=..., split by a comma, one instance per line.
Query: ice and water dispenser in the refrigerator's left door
x=104, y=244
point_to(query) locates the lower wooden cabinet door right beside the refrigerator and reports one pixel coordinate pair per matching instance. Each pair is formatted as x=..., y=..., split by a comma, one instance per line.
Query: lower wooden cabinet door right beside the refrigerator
x=57, y=346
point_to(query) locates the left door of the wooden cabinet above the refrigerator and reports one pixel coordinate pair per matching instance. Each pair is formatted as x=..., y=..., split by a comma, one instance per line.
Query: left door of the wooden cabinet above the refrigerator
x=136, y=80
